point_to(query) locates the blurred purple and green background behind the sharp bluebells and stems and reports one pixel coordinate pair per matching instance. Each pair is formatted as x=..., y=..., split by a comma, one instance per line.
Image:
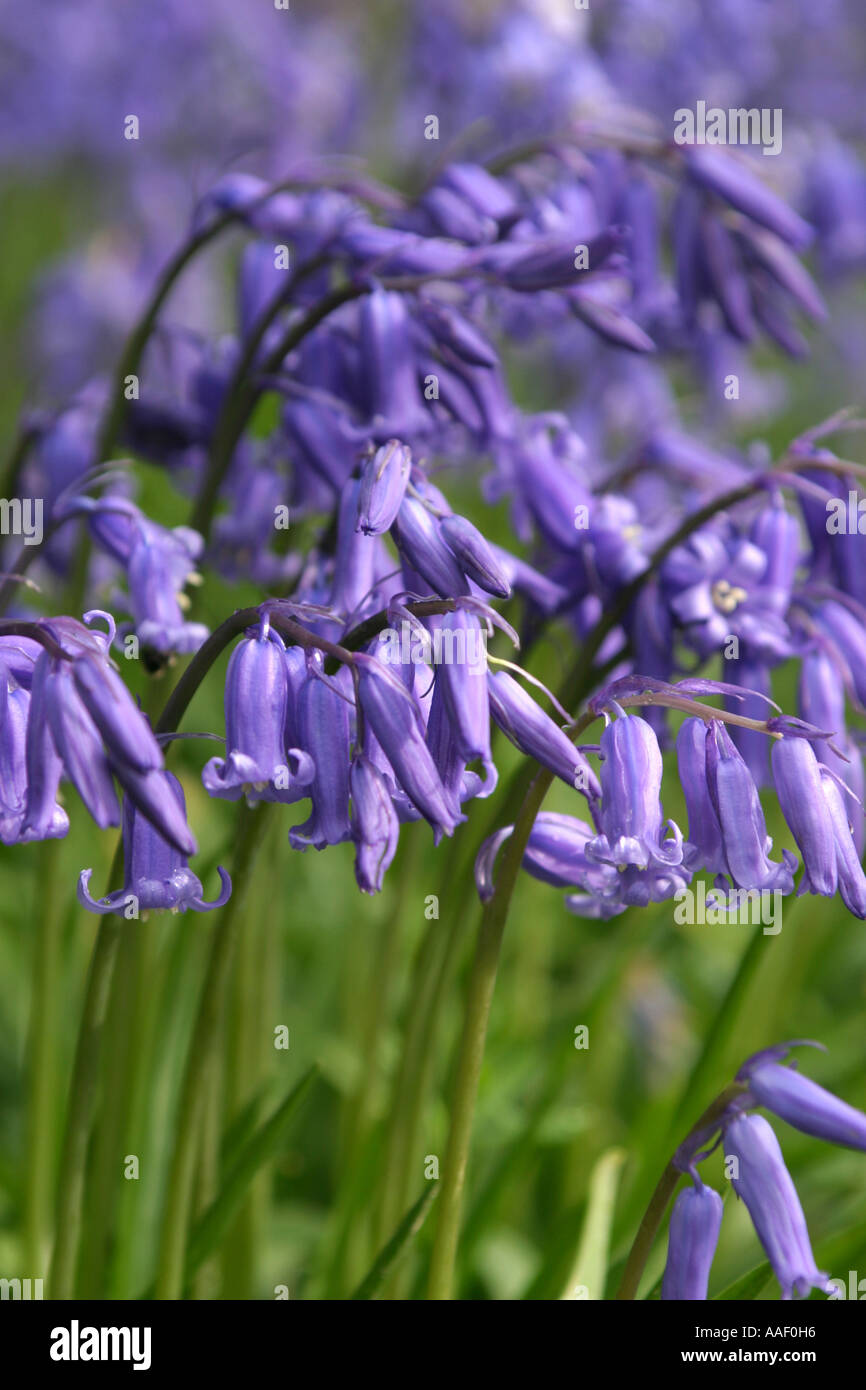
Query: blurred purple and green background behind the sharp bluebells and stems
x=88, y=219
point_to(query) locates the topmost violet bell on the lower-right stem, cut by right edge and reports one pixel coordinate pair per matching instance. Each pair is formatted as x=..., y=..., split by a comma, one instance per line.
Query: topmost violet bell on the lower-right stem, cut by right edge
x=801, y=1102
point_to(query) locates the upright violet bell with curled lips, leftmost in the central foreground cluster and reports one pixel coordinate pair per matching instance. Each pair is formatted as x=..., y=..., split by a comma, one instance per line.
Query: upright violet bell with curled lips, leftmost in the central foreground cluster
x=258, y=762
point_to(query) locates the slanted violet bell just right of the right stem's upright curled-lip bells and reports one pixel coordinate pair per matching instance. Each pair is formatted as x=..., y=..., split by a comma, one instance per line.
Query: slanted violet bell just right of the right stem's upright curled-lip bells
x=744, y=831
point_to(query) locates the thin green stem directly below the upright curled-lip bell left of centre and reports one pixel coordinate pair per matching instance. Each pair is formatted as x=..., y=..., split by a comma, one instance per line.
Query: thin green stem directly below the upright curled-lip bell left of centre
x=201, y=1058
